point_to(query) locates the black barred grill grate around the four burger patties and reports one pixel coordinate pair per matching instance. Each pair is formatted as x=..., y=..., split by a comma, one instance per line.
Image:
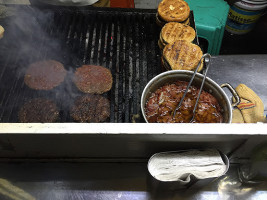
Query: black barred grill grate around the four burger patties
x=123, y=40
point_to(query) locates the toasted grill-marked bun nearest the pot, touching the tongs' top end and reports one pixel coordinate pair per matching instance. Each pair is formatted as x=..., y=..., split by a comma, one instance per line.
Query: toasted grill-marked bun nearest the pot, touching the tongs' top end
x=183, y=55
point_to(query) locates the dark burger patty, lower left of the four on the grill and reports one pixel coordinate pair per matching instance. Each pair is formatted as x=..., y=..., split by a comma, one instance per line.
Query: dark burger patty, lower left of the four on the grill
x=38, y=110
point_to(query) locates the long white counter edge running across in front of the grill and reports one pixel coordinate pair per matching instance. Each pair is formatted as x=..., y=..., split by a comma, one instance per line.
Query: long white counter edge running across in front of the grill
x=132, y=128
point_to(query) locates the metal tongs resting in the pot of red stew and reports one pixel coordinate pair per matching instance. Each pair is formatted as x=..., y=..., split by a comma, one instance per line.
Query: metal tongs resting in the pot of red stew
x=206, y=57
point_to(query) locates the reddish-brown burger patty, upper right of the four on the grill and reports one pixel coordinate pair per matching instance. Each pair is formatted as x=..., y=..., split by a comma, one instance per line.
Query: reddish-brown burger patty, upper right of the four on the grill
x=93, y=79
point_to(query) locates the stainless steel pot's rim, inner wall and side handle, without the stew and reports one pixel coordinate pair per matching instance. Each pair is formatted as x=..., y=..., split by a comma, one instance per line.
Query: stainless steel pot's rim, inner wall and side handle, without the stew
x=184, y=75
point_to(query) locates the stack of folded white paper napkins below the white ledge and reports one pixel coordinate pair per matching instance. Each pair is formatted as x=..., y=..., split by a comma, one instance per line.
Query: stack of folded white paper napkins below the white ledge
x=179, y=166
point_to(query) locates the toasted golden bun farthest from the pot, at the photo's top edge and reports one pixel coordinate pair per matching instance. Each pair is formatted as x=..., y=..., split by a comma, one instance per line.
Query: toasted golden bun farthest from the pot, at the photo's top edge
x=173, y=10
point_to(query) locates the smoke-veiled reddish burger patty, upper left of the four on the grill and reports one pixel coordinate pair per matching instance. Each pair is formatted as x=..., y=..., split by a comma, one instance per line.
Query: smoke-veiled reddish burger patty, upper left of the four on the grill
x=45, y=75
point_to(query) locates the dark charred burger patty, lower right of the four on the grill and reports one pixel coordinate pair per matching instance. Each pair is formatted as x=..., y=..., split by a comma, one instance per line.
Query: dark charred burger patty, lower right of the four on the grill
x=90, y=108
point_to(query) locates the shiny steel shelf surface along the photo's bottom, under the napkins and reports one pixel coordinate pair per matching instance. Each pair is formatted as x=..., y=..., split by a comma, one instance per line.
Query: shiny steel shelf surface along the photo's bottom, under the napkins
x=129, y=181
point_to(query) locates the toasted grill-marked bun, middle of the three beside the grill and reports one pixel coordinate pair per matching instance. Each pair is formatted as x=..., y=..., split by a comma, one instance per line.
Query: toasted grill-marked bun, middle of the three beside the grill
x=175, y=31
